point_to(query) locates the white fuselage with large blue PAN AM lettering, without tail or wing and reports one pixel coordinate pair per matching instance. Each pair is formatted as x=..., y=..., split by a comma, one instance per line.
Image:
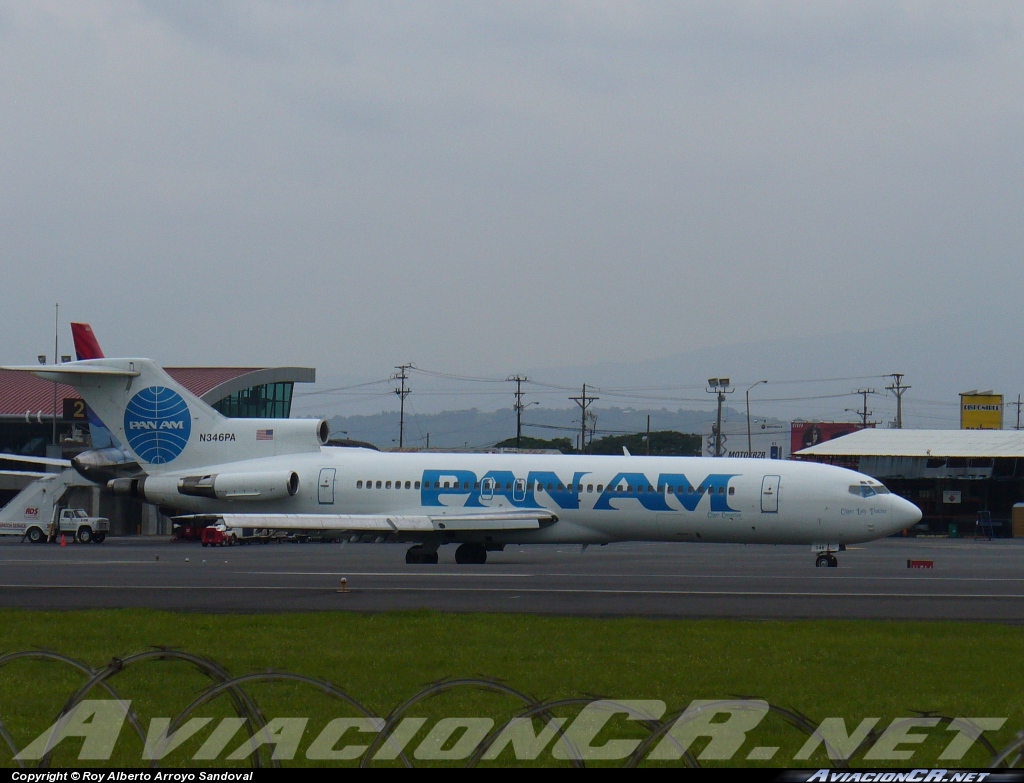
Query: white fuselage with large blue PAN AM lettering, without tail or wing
x=598, y=500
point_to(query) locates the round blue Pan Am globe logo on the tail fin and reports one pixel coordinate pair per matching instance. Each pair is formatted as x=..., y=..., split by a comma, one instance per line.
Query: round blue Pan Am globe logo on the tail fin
x=158, y=425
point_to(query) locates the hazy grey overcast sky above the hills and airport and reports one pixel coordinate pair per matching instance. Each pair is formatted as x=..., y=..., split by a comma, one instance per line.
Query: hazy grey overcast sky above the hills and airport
x=486, y=188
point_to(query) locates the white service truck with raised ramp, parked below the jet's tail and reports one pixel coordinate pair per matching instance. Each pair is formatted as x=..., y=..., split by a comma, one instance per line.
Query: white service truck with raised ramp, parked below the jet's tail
x=36, y=513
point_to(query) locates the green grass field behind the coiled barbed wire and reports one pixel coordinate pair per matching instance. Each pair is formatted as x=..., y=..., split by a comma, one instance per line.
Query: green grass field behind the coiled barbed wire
x=850, y=670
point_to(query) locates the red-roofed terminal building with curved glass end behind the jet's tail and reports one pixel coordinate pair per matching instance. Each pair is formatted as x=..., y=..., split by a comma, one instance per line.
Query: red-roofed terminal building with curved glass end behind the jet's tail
x=42, y=419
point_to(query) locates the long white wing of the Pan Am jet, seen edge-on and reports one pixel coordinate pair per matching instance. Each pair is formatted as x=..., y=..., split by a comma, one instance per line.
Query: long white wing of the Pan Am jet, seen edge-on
x=391, y=524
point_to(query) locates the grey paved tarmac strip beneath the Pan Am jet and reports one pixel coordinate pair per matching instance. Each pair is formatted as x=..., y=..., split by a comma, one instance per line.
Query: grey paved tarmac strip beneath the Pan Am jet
x=976, y=581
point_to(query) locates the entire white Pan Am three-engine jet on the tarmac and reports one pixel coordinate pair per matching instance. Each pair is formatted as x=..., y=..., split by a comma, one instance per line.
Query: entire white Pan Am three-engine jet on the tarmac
x=279, y=474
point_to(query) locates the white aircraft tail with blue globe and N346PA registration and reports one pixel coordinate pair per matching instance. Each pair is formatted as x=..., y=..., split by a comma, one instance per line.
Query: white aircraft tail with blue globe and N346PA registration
x=166, y=427
